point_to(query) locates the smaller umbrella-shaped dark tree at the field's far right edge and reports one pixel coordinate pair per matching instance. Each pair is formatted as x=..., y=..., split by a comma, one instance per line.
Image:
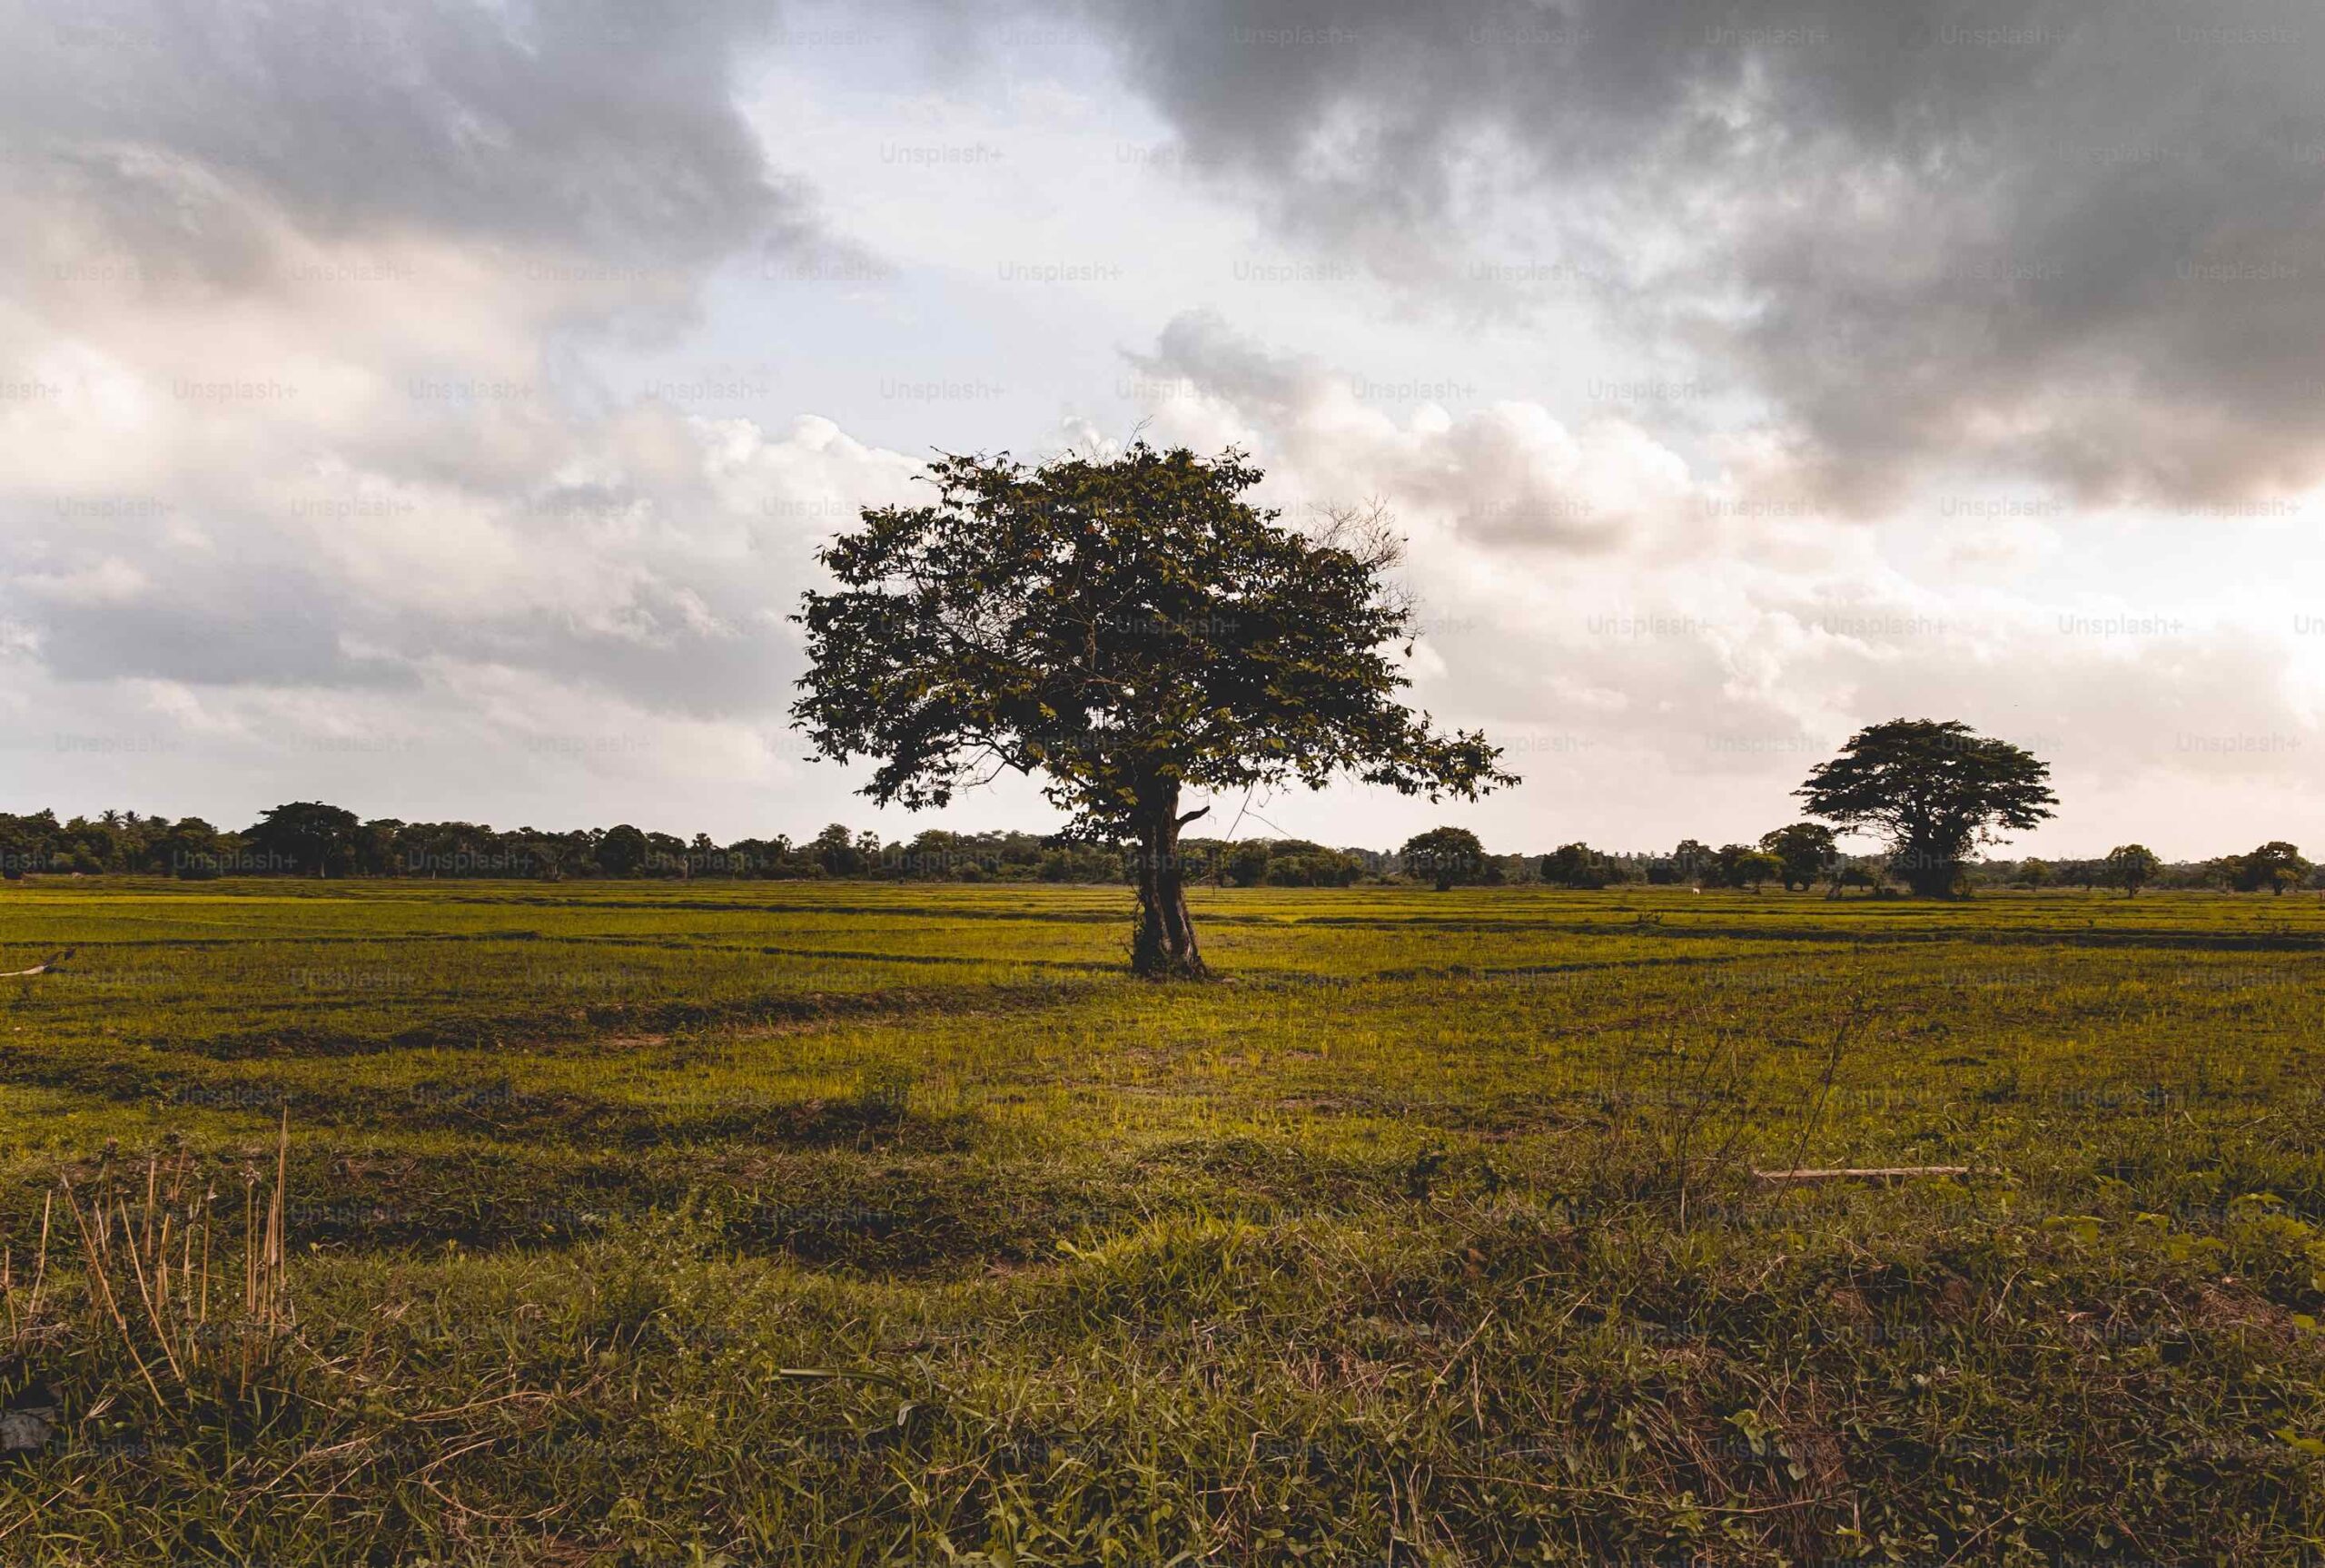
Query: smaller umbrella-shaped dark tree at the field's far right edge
x=1936, y=789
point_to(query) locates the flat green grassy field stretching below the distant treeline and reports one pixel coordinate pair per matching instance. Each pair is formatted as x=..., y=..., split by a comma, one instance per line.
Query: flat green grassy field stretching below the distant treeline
x=852, y=1223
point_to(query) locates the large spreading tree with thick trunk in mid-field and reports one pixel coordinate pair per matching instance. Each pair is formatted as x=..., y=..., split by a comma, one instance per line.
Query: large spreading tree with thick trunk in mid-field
x=1129, y=631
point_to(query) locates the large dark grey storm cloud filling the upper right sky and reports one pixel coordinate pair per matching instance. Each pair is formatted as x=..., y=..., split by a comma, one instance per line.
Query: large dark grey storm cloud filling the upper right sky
x=2077, y=240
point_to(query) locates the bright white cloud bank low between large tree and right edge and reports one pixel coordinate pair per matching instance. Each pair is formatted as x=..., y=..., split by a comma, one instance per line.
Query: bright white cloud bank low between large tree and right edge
x=1680, y=645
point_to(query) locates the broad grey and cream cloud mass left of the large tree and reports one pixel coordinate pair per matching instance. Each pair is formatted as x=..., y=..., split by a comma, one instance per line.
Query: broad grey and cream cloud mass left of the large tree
x=308, y=470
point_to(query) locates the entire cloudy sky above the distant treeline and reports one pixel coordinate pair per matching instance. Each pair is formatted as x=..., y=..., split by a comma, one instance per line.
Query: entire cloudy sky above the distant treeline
x=436, y=408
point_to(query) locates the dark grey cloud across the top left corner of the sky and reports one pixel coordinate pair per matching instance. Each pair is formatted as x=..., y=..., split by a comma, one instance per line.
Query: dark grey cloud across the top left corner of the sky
x=596, y=127
